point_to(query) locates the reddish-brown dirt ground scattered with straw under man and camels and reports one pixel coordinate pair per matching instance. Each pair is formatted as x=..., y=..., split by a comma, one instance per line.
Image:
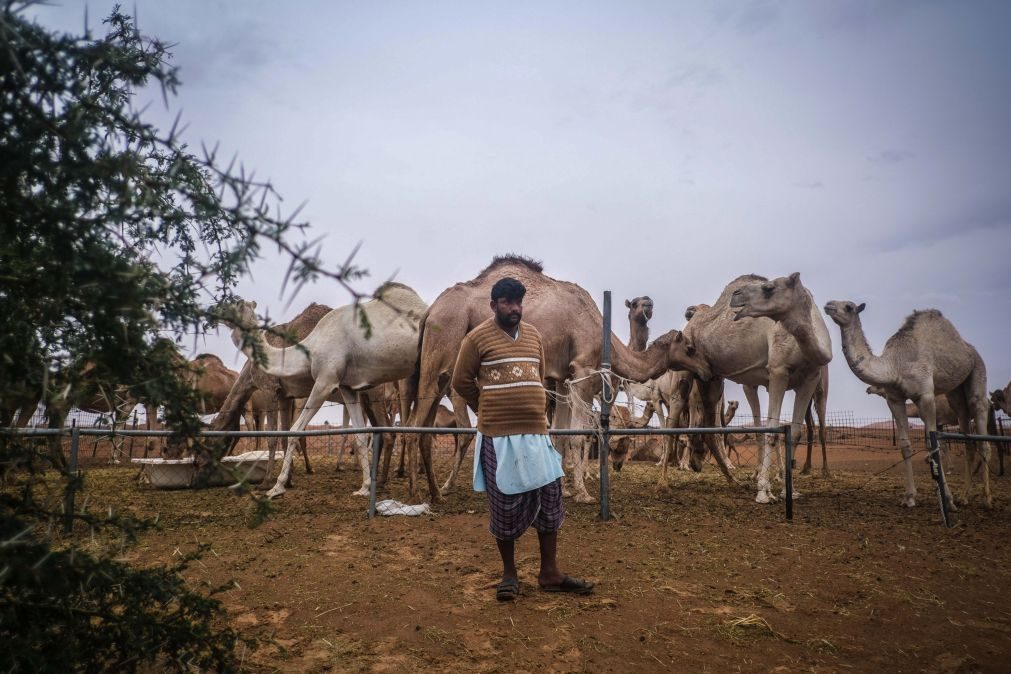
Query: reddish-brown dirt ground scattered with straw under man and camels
x=692, y=577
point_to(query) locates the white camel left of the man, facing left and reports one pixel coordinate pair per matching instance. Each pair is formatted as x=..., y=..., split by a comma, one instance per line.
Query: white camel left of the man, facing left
x=340, y=356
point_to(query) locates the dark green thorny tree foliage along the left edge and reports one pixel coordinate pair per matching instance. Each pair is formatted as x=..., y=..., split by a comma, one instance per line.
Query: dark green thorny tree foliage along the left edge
x=117, y=241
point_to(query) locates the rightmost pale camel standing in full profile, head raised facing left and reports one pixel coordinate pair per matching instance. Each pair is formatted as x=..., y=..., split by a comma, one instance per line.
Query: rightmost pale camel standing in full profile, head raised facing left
x=925, y=359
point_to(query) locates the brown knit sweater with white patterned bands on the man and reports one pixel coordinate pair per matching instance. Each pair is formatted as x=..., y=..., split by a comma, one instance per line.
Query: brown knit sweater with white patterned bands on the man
x=502, y=379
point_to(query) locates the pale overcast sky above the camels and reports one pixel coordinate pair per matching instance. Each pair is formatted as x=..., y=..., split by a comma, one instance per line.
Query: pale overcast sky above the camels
x=659, y=149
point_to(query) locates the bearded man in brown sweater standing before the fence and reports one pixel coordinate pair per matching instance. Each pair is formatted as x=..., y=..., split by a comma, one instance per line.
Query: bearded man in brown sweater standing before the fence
x=500, y=372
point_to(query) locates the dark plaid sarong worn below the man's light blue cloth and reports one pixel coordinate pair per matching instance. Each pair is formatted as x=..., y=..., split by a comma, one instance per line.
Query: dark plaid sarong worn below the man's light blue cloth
x=512, y=515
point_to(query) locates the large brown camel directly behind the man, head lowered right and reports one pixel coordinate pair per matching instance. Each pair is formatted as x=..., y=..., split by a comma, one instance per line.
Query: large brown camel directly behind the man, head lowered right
x=571, y=325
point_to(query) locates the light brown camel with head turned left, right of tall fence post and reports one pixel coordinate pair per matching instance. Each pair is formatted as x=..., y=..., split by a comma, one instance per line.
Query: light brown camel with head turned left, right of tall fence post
x=777, y=340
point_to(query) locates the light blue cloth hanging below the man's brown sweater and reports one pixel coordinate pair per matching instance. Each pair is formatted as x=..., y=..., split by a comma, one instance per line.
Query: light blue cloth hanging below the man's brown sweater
x=525, y=462
